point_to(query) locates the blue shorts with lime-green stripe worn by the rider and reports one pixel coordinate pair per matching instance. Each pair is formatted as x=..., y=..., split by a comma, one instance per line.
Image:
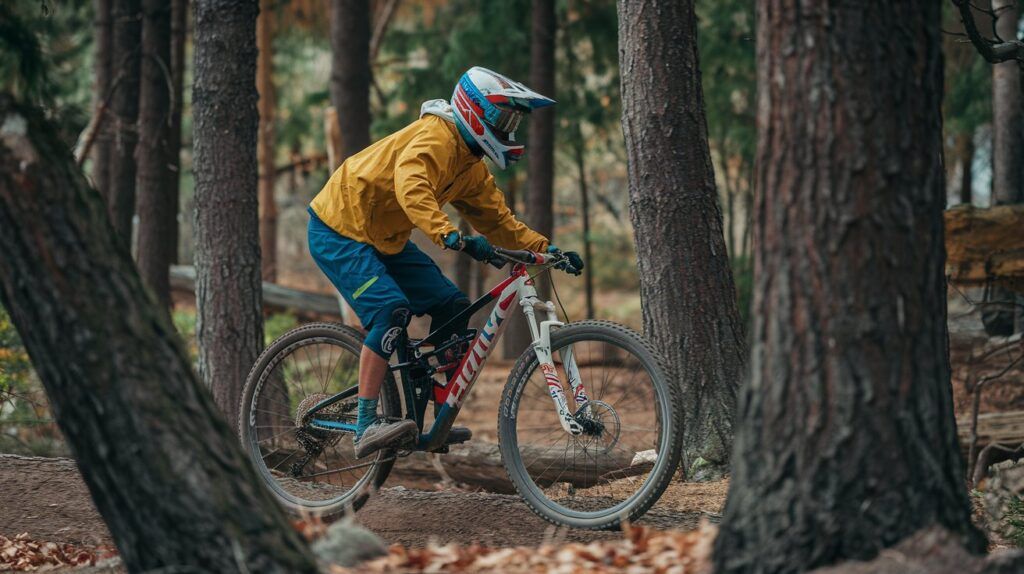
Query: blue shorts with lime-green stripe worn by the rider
x=376, y=285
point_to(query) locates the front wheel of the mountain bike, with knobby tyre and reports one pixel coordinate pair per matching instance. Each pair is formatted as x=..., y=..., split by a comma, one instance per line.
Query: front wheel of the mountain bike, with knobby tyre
x=632, y=419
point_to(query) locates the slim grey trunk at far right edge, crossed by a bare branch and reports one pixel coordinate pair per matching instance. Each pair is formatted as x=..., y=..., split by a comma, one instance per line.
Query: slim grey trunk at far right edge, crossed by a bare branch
x=1008, y=115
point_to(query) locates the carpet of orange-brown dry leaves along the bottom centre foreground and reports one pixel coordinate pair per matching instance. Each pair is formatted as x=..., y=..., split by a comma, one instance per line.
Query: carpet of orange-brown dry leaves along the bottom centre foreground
x=643, y=550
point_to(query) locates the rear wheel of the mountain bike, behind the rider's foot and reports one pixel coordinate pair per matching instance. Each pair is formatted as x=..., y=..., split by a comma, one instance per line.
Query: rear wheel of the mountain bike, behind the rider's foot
x=311, y=469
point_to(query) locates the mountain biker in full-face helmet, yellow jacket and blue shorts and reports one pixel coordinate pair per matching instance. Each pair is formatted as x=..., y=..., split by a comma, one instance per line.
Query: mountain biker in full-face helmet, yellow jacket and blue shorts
x=362, y=220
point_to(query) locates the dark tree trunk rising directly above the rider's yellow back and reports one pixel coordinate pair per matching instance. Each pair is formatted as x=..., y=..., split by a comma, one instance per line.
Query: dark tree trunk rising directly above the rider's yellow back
x=351, y=75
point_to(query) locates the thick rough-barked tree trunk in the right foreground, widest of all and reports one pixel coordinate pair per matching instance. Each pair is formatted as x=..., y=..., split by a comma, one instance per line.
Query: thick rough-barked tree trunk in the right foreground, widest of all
x=847, y=443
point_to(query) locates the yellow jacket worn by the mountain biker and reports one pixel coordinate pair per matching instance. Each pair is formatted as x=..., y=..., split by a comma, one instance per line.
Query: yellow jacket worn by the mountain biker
x=401, y=183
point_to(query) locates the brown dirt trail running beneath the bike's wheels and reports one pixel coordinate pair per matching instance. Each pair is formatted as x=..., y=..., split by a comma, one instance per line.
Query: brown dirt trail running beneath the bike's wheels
x=48, y=499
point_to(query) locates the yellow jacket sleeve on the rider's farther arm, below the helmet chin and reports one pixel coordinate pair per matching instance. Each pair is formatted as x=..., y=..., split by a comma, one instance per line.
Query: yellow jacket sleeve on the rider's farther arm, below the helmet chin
x=484, y=206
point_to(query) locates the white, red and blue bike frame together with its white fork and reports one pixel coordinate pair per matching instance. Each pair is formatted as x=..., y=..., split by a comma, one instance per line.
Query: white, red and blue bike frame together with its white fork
x=541, y=318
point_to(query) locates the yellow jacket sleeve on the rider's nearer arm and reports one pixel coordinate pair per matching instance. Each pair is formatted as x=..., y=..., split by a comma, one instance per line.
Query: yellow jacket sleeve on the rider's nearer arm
x=418, y=169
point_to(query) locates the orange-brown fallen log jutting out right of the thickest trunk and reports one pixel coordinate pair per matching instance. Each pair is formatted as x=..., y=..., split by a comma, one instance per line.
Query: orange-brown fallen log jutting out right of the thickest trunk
x=986, y=246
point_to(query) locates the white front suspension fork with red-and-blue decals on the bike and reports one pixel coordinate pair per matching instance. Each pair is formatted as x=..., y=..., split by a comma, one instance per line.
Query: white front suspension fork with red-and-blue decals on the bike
x=541, y=333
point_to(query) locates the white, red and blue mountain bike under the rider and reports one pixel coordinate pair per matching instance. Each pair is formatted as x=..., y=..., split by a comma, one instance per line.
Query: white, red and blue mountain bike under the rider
x=589, y=426
